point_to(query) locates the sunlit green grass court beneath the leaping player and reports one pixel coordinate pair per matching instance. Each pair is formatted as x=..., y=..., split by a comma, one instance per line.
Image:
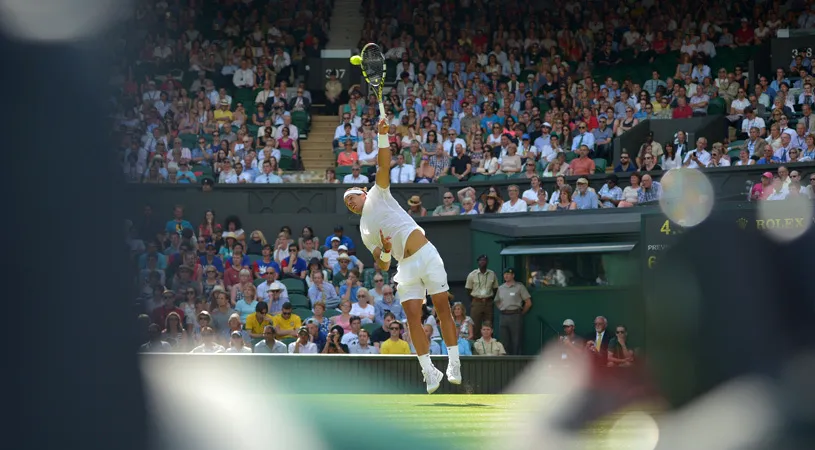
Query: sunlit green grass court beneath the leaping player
x=467, y=421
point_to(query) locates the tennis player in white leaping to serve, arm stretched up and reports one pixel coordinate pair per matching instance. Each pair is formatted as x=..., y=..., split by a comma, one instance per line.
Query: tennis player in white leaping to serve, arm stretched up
x=389, y=232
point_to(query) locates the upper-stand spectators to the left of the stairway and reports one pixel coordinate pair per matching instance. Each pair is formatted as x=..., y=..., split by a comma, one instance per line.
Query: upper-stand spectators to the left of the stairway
x=213, y=90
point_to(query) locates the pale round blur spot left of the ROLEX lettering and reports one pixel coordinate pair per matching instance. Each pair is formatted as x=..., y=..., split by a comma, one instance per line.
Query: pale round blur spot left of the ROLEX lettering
x=687, y=196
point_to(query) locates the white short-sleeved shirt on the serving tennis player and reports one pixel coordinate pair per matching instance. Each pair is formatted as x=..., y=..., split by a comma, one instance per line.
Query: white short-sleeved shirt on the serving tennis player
x=383, y=212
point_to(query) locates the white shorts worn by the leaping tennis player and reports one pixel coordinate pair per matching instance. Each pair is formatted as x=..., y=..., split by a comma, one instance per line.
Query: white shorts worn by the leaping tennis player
x=420, y=274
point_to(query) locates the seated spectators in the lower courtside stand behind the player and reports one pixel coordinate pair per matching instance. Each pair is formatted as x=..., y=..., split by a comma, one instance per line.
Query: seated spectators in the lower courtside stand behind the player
x=216, y=287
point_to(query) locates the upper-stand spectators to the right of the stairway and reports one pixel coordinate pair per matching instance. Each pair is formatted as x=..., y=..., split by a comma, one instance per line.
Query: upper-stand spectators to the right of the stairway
x=520, y=94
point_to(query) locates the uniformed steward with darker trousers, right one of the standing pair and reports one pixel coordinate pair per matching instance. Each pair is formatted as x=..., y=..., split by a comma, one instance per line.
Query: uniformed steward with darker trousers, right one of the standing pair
x=514, y=301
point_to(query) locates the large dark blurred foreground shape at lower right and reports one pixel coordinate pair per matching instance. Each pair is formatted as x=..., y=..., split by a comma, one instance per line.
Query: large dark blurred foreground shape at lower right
x=731, y=349
